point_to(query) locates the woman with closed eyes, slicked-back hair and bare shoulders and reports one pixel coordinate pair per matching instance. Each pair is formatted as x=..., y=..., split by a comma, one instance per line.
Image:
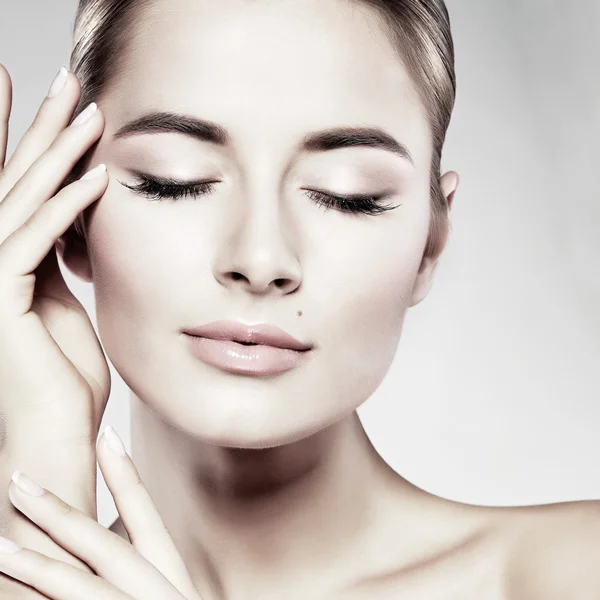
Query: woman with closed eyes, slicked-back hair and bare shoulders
x=268, y=166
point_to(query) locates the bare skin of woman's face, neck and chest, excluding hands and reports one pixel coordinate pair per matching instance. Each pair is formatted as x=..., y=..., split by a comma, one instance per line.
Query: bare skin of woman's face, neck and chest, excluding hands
x=271, y=485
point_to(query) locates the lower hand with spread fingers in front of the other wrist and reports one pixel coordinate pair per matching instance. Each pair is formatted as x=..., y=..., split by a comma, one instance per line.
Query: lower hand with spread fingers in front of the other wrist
x=149, y=569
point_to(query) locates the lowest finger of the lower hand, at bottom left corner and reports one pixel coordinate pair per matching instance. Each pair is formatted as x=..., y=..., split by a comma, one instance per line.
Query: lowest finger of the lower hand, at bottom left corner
x=58, y=580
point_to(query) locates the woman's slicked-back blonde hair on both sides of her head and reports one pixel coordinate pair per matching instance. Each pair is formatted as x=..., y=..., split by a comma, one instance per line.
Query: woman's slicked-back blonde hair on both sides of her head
x=419, y=29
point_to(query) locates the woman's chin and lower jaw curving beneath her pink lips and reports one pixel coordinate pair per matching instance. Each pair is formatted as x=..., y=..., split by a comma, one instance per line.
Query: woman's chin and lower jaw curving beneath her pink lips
x=237, y=411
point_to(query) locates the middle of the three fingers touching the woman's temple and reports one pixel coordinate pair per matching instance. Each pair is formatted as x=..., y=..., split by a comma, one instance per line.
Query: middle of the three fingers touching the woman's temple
x=43, y=179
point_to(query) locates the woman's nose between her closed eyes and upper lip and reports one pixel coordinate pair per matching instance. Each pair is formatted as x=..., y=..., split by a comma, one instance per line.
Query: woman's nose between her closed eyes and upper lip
x=256, y=252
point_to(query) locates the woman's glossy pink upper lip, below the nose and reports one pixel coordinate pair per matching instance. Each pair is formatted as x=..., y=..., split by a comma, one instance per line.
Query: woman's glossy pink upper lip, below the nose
x=260, y=333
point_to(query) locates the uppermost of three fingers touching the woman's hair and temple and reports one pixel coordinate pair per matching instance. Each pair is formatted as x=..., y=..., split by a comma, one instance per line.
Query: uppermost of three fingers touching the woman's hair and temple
x=54, y=114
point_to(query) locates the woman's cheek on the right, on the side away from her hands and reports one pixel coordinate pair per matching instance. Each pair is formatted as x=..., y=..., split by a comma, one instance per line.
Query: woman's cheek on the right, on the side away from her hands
x=365, y=291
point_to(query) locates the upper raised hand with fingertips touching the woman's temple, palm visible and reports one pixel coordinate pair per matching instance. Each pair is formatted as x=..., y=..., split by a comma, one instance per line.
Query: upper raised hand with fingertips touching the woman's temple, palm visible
x=54, y=378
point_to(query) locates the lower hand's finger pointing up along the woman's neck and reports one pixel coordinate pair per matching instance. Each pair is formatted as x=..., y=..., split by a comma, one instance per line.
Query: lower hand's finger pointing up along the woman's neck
x=141, y=519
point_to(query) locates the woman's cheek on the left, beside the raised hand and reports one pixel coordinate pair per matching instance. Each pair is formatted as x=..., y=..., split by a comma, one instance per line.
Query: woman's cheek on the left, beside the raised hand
x=141, y=279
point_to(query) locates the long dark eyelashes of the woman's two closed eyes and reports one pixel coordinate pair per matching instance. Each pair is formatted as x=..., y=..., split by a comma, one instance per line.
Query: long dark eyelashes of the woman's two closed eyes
x=161, y=189
